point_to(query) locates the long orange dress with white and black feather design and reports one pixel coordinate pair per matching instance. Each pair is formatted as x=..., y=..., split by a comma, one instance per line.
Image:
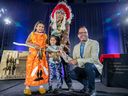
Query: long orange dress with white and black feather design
x=37, y=69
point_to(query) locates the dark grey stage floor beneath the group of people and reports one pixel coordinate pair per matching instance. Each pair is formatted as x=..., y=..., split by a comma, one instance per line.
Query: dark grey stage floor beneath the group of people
x=16, y=87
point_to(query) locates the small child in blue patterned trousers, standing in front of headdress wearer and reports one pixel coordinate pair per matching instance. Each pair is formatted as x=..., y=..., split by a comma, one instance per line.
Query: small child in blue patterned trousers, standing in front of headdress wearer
x=55, y=65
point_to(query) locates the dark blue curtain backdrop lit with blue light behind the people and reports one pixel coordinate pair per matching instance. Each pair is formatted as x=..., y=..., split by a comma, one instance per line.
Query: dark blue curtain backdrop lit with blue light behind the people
x=102, y=20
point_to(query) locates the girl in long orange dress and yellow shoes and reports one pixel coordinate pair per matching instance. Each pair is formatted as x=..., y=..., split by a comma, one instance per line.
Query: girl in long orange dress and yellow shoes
x=37, y=66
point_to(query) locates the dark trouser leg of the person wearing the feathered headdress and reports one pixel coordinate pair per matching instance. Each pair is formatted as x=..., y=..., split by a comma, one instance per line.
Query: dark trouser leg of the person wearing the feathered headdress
x=67, y=77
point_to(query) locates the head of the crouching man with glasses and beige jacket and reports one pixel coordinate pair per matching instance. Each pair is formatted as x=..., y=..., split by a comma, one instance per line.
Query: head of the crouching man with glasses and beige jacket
x=83, y=34
